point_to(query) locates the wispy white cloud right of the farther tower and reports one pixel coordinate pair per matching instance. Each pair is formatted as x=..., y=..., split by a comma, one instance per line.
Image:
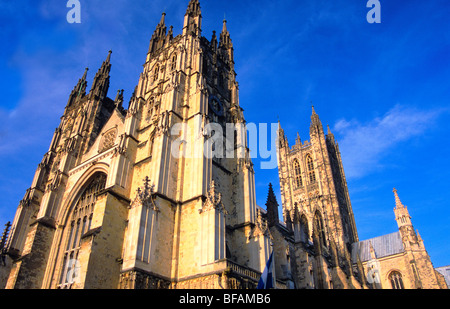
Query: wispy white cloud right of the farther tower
x=365, y=145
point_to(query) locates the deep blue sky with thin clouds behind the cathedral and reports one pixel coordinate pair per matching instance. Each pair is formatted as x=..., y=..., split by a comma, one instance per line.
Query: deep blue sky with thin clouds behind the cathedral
x=382, y=88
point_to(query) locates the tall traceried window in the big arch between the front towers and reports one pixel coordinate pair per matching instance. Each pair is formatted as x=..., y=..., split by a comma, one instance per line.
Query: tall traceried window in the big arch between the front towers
x=78, y=224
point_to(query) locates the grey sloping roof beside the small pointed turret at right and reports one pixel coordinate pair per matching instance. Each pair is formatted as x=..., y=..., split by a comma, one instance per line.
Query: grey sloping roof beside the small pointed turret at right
x=383, y=246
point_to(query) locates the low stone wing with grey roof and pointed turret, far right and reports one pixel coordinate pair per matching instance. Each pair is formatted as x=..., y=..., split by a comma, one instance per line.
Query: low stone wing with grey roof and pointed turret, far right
x=398, y=260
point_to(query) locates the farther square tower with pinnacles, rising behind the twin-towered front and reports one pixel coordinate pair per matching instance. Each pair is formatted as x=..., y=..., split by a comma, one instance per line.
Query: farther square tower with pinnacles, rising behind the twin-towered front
x=316, y=204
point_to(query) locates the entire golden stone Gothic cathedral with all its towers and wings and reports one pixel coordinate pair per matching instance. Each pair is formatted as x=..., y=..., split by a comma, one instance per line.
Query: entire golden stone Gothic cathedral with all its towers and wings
x=147, y=197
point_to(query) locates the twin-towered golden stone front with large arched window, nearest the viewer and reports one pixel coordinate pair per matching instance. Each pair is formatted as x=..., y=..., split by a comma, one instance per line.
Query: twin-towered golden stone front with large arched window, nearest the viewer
x=152, y=196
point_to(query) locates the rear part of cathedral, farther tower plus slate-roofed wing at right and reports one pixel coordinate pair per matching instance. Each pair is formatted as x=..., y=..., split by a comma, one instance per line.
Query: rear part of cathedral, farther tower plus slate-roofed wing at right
x=317, y=246
